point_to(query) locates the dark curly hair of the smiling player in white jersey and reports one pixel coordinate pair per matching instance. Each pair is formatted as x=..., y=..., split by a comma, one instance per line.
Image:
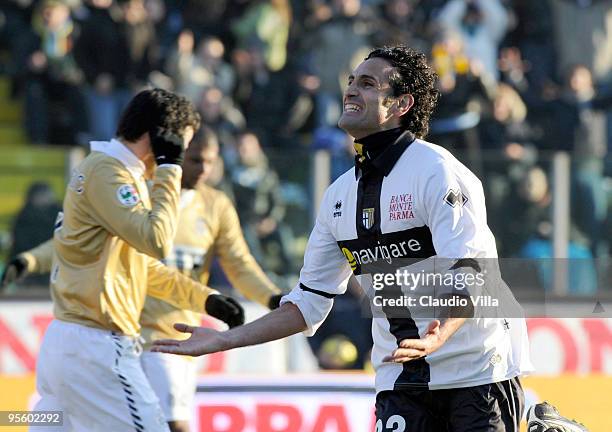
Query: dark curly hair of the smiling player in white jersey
x=414, y=76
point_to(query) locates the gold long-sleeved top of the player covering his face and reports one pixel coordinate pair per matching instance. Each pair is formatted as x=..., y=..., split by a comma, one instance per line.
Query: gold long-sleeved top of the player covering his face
x=110, y=239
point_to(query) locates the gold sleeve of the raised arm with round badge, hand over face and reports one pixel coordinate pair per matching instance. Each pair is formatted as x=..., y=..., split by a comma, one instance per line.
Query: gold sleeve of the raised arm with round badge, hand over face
x=151, y=231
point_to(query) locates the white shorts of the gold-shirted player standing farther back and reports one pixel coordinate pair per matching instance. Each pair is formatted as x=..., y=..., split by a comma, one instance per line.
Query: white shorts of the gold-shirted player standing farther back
x=173, y=379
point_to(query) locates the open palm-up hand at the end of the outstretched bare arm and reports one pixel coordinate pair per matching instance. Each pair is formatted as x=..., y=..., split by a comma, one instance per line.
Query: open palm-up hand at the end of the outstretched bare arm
x=202, y=341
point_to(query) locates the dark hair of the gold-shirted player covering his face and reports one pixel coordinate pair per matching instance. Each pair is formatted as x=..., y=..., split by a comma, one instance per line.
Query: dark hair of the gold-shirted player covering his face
x=154, y=108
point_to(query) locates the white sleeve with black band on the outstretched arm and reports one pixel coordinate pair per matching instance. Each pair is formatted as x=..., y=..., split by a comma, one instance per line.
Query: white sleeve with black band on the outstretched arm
x=324, y=275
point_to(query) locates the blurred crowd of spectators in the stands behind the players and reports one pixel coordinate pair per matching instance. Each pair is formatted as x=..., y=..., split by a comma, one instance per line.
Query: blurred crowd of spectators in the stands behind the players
x=520, y=79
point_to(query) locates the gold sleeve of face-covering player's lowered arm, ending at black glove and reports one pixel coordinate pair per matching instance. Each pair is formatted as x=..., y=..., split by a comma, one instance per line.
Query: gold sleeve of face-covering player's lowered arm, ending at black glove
x=170, y=285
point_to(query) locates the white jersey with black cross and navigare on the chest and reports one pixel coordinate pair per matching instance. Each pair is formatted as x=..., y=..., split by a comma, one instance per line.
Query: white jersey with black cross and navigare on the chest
x=419, y=202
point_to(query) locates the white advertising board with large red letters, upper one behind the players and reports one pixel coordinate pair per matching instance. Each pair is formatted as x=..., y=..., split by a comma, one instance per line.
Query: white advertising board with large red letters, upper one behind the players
x=558, y=345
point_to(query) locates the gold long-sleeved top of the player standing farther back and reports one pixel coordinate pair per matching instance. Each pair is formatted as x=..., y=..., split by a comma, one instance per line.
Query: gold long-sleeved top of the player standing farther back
x=208, y=227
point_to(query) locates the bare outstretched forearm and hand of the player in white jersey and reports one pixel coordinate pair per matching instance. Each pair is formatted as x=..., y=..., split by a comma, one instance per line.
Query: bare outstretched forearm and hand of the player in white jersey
x=280, y=323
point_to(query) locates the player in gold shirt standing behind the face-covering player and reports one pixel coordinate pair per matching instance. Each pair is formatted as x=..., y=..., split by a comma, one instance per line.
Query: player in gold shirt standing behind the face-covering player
x=208, y=226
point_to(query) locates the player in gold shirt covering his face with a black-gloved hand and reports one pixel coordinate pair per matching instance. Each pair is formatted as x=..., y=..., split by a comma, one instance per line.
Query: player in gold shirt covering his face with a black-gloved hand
x=107, y=247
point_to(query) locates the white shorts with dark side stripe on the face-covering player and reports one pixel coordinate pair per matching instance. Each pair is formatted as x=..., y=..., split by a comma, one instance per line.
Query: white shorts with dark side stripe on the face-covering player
x=94, y=376
